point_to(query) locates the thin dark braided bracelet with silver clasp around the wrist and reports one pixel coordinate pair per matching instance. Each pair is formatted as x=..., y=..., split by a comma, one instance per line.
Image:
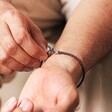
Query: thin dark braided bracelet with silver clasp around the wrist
x=51, y=51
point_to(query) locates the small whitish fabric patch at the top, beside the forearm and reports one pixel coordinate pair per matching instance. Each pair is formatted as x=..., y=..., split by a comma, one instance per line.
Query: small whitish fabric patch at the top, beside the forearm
x=69, y=6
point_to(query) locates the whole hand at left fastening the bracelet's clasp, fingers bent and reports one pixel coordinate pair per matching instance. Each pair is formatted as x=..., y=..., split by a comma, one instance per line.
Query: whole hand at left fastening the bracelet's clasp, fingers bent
x=22, y=45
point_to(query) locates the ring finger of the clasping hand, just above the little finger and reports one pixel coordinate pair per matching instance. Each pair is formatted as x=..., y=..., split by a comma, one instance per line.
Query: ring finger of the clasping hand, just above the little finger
x=11, y=63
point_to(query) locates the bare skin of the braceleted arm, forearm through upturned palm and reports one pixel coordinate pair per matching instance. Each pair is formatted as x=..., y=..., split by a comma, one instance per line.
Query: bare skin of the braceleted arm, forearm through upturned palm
x=53, y=86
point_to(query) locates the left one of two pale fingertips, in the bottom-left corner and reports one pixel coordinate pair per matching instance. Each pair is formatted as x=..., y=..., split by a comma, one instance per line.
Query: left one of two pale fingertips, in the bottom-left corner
x=10, y=105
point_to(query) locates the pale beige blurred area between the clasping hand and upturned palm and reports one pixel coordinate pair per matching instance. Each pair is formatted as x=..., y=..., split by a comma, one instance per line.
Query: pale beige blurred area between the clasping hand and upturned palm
x=14, y=87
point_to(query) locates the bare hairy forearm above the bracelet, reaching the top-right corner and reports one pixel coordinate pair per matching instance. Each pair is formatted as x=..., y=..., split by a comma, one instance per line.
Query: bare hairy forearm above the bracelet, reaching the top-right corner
x=88, y=32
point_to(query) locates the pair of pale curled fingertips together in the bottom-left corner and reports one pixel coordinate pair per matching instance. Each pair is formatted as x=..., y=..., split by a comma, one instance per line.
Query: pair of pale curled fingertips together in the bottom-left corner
x=12, y=106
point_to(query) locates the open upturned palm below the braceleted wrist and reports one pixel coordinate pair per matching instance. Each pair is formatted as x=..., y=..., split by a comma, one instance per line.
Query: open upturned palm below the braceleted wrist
x=51, y=88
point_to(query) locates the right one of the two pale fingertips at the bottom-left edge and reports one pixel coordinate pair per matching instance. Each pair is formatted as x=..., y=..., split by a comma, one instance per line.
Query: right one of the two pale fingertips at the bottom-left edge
x=26, y=105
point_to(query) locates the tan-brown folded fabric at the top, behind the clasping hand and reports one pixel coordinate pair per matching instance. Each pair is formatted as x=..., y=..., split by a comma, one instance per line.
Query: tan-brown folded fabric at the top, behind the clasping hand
x=45, y=13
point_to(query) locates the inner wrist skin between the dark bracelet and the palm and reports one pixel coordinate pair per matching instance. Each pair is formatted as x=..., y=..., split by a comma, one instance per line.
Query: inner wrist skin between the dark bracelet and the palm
x=66, y=63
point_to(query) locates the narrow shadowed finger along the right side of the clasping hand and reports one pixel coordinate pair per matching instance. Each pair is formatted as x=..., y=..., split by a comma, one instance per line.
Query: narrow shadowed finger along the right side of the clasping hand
x=37, y=35
